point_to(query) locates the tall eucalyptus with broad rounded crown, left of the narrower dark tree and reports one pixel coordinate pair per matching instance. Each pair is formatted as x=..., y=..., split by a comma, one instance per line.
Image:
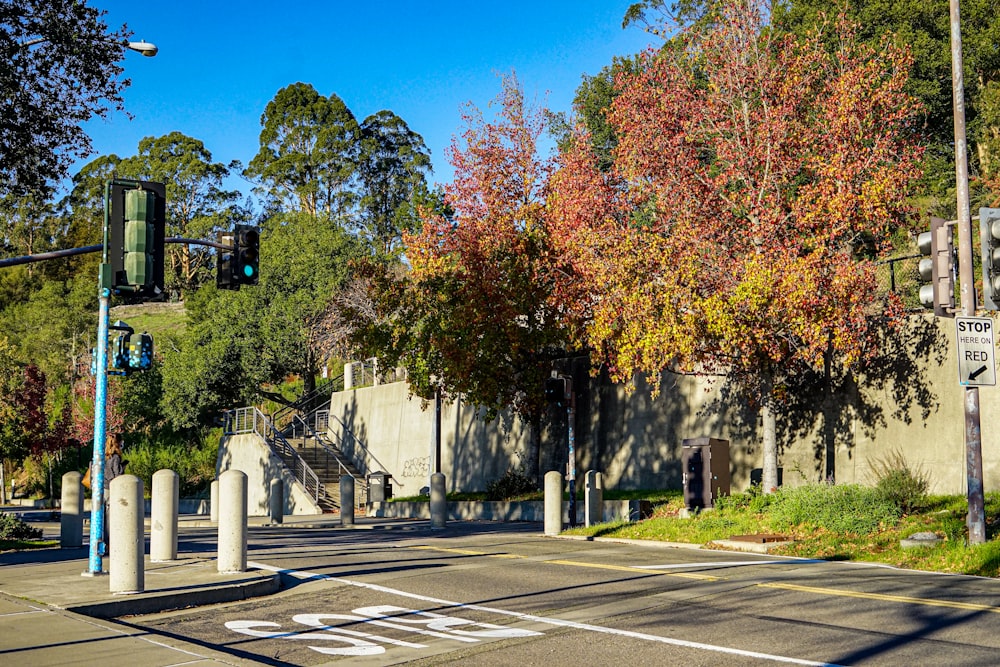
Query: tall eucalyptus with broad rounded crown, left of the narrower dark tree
x=308, y=151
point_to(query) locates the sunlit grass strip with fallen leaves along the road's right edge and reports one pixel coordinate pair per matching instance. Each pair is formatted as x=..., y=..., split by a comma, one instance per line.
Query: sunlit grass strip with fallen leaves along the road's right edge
x=942, y=515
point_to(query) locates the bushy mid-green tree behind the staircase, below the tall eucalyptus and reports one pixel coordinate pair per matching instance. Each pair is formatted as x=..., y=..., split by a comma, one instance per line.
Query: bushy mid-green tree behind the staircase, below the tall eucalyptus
x=240, y=341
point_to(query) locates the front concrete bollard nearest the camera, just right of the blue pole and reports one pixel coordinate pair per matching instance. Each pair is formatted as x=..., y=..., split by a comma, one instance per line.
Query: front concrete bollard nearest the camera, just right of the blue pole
x=127, y=537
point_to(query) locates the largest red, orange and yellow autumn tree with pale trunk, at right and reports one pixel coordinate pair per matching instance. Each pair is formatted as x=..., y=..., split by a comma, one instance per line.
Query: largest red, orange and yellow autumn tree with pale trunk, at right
x=756, y=178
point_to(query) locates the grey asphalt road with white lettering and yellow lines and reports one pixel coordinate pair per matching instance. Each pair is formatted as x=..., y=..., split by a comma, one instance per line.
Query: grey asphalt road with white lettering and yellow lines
x=504, y=595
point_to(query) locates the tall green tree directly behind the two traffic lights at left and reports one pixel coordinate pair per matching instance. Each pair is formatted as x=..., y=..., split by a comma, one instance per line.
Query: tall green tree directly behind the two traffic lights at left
x=197, y=204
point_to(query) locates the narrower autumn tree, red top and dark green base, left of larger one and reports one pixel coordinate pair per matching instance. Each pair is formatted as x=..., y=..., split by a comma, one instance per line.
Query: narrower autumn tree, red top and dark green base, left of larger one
x=474, y=317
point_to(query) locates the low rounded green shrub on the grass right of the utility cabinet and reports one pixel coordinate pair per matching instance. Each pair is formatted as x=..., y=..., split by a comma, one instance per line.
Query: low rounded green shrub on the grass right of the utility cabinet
x=844, y=508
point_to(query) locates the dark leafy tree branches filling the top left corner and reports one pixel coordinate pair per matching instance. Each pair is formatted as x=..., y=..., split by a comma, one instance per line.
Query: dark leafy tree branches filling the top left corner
x=60, y=69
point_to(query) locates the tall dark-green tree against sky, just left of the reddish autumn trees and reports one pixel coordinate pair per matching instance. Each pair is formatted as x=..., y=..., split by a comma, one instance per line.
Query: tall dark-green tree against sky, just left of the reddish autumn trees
x=393, y=174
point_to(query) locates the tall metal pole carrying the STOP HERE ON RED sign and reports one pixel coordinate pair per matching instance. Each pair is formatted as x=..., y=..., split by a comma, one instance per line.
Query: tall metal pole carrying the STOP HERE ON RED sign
x=976, y=520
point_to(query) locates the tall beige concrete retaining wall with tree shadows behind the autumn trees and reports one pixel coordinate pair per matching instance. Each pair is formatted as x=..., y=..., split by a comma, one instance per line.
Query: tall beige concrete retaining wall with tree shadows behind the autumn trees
x=908, y=401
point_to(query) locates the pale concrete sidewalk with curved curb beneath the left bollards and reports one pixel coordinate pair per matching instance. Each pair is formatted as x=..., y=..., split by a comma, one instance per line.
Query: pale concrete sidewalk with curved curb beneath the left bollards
x=51, y=612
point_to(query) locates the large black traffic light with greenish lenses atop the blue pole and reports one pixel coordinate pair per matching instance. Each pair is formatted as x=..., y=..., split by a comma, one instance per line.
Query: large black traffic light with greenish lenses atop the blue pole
x=136, y=215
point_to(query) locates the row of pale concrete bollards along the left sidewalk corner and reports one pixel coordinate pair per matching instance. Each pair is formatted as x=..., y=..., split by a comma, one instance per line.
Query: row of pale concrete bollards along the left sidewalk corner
x=126, y=523
